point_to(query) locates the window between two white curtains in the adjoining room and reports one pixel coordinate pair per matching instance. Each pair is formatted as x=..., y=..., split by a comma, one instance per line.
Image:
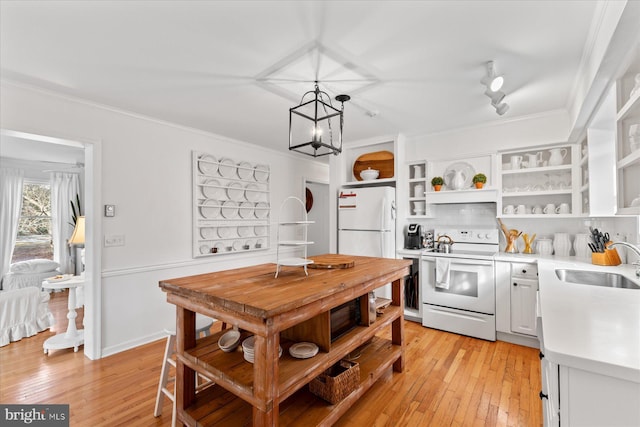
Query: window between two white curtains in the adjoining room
x=34, y=238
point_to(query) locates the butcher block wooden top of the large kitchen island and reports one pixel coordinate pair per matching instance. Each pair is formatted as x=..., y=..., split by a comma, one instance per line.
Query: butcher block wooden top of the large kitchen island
x=254, y=291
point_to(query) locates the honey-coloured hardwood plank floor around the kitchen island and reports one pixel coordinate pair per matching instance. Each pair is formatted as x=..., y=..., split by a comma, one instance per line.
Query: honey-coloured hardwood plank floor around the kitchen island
x=449, y=380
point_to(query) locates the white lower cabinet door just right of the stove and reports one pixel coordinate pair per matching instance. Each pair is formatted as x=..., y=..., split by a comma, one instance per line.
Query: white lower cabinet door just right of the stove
x=523, y=305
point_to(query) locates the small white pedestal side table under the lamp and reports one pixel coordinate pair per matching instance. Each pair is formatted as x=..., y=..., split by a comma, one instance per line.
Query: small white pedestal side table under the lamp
x=72, y=337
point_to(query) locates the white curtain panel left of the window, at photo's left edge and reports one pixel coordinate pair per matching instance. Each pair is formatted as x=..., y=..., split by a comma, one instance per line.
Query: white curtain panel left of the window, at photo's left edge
x=11, y=193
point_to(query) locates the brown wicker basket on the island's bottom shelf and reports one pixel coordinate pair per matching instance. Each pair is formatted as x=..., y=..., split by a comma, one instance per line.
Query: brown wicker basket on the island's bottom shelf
x=337, y=382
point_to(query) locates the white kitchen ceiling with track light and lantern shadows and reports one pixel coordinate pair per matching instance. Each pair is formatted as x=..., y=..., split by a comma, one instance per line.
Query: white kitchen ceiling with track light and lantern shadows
x=234, y=68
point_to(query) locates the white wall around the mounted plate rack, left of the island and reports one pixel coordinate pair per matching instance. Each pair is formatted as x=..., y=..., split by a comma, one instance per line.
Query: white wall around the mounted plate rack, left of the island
x=146, y=173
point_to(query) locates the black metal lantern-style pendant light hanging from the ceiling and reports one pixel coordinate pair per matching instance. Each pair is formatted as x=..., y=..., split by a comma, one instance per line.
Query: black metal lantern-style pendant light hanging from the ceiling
x=322, y=110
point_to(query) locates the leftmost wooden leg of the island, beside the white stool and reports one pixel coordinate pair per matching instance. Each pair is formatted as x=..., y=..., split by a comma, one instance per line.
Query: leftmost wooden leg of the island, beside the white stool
x=185, y=377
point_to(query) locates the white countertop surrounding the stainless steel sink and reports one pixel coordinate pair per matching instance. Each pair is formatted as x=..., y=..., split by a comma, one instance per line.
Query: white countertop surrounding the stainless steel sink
x=594, y=328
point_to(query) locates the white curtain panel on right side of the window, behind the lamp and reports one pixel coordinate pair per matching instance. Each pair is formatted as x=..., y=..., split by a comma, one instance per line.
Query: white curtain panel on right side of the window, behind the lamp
x=64, y=187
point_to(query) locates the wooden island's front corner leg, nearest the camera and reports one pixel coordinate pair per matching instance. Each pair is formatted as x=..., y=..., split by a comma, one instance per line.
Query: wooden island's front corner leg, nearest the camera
x=265, y=379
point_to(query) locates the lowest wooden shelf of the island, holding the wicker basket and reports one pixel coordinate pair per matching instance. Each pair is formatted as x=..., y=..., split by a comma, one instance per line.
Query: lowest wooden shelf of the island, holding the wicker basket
x=219, y=407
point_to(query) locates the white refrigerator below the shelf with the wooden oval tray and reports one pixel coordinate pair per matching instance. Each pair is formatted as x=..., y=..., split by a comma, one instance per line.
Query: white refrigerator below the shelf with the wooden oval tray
x=367, y=224
